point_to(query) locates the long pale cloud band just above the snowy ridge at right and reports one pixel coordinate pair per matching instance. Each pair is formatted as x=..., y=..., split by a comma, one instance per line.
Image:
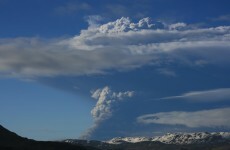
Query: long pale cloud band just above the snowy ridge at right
x=204, y=118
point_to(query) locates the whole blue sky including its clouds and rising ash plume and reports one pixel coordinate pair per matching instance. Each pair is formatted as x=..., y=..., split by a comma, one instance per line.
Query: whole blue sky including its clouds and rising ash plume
x=100, y=69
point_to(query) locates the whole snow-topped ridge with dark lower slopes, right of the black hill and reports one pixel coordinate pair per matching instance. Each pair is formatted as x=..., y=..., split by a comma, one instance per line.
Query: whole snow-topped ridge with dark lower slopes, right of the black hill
x=170, y=141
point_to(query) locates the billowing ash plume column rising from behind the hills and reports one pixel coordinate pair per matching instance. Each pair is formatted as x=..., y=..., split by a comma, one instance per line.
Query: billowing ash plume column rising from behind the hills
x=106, y=99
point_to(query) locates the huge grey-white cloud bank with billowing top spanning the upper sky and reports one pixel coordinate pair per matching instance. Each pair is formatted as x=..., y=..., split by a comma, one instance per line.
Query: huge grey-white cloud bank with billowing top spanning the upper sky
x=119, y=45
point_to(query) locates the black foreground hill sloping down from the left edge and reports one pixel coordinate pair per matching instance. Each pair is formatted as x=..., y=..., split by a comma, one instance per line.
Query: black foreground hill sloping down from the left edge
x=11, y=141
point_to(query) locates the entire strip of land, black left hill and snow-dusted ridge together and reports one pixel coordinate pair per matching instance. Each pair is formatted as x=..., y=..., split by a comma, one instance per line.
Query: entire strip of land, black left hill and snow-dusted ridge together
x=213, y=141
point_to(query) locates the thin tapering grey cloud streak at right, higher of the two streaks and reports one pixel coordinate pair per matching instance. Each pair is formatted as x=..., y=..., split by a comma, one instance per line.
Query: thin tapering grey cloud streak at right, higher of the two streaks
x=205, y=96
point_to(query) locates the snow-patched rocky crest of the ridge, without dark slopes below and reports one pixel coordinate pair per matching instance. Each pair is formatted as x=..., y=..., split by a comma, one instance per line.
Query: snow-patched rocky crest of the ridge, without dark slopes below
x=178, y=138
